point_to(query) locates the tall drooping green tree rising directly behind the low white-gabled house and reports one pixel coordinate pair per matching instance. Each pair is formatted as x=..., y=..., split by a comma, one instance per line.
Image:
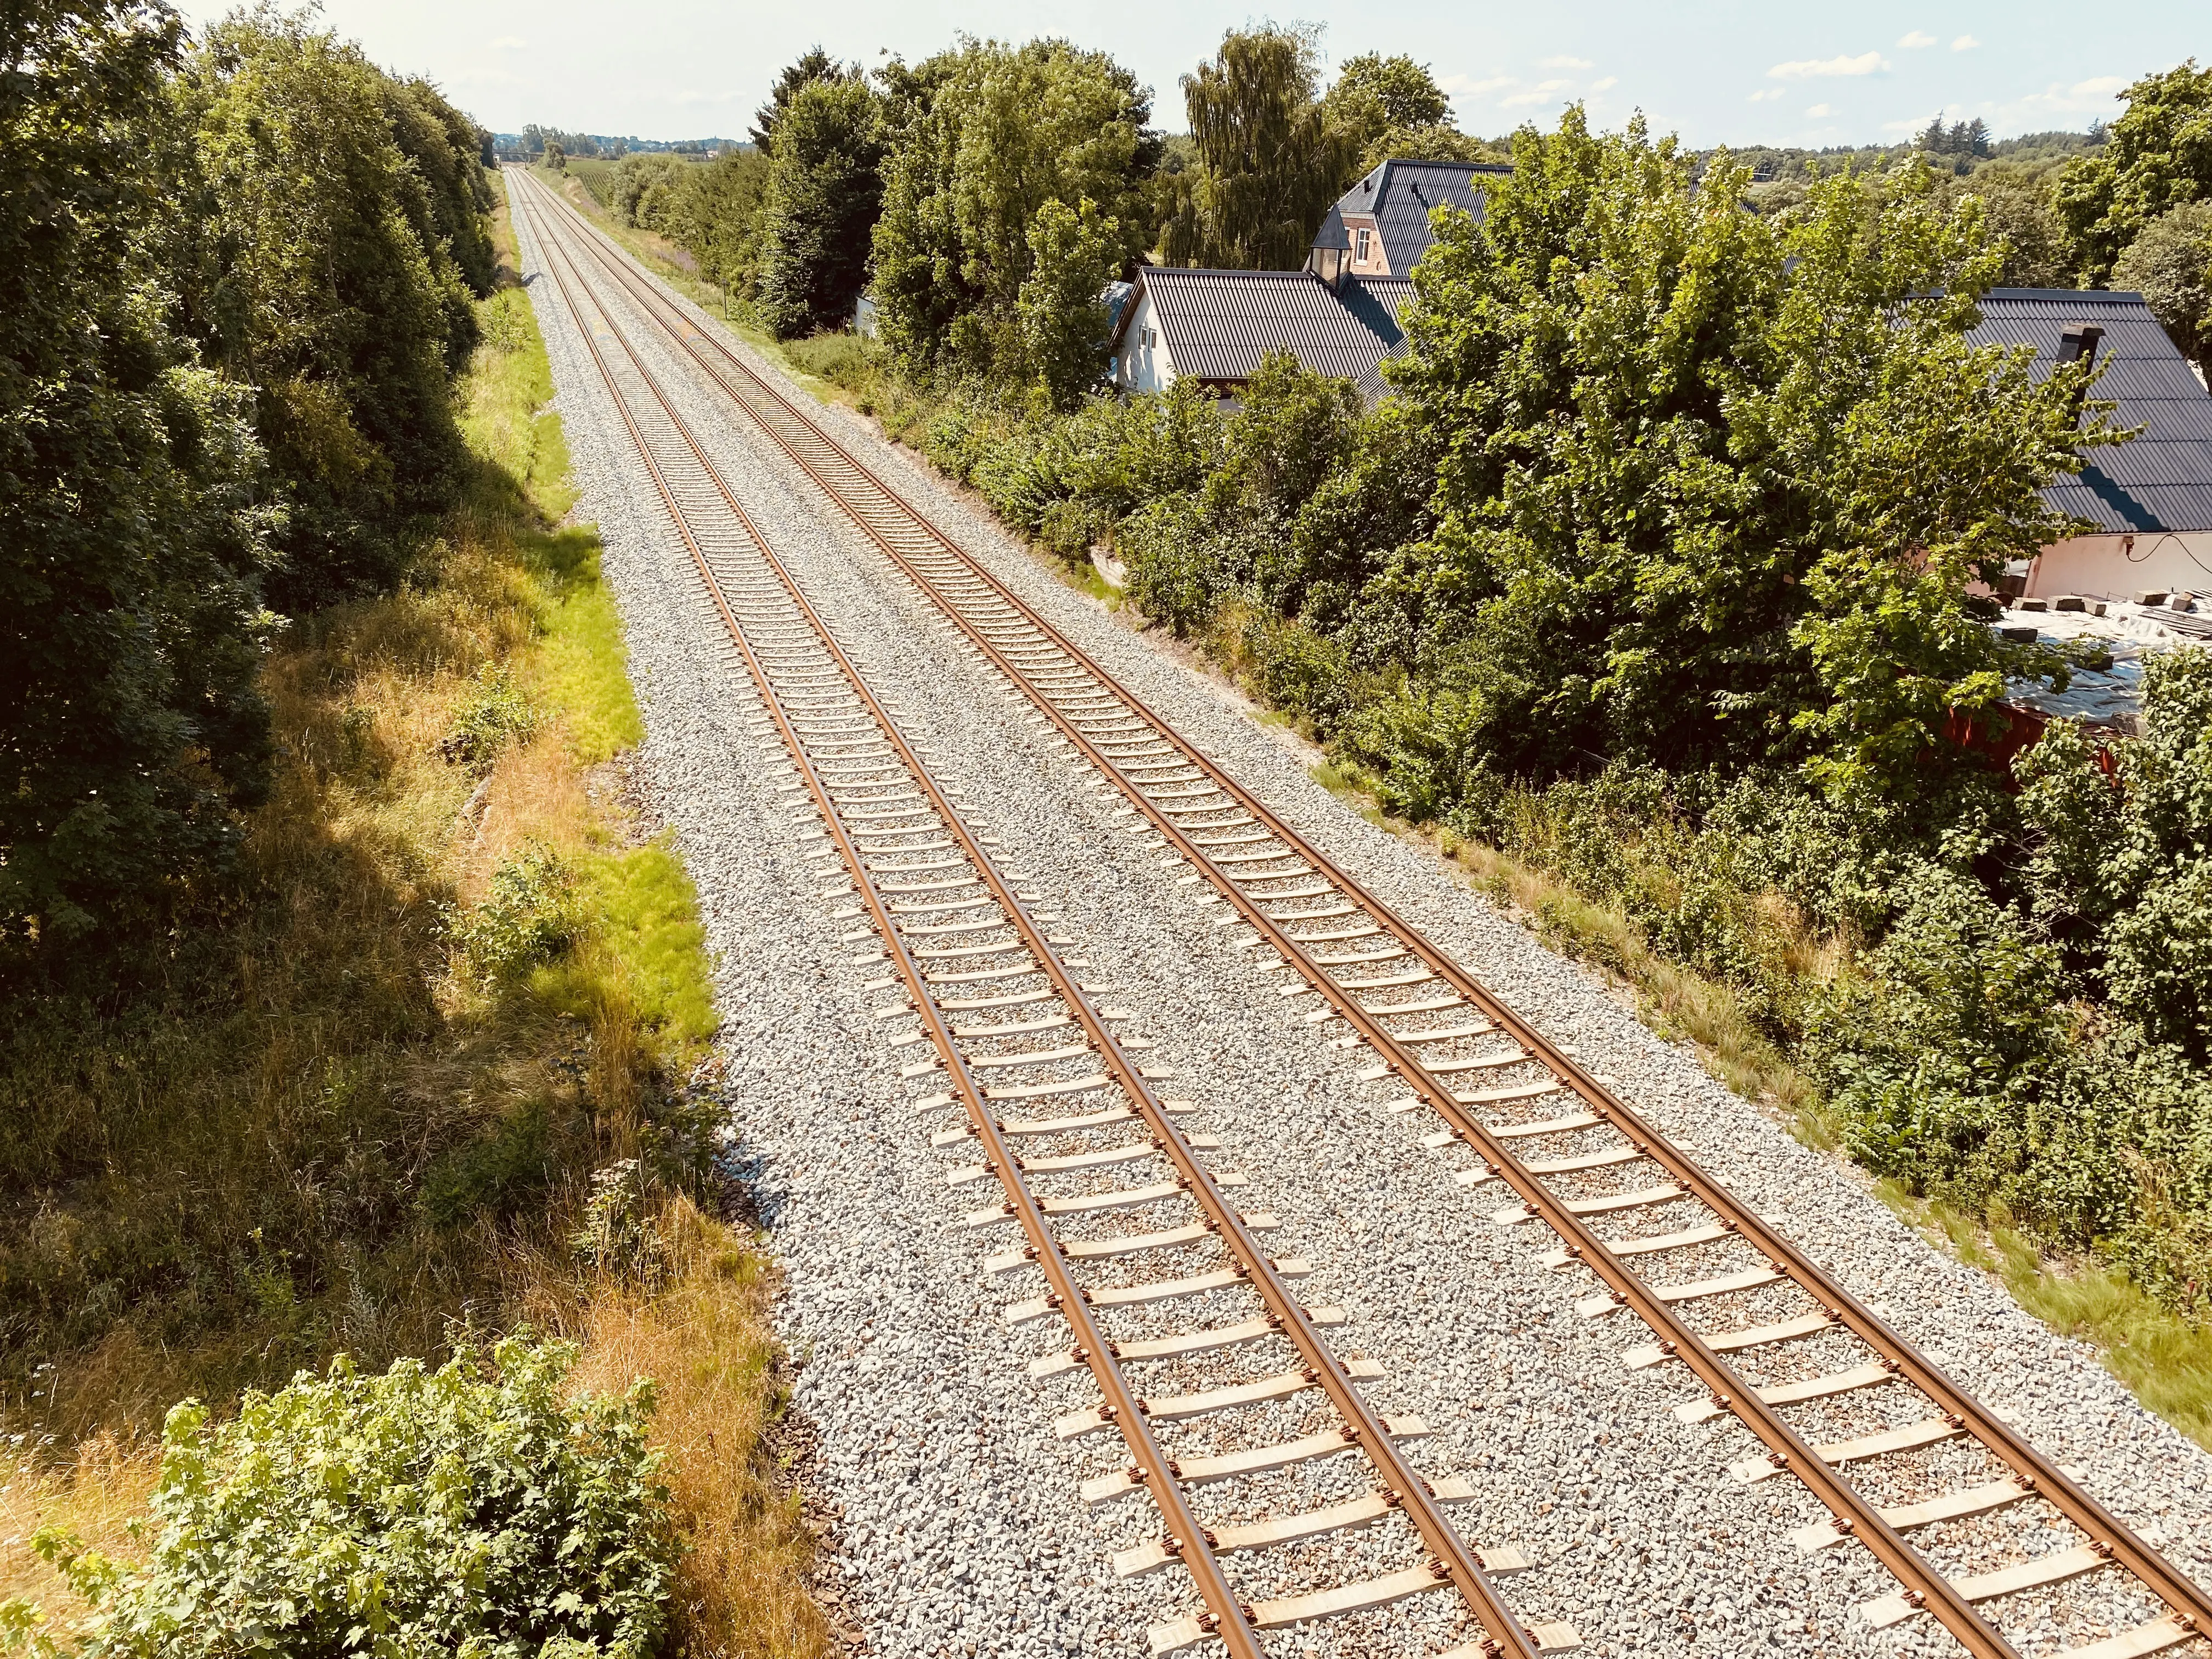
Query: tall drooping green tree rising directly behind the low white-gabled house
x=1271, y=156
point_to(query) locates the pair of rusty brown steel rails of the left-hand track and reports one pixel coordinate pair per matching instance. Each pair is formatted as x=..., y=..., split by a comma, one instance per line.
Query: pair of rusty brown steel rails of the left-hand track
x=1406, y=1490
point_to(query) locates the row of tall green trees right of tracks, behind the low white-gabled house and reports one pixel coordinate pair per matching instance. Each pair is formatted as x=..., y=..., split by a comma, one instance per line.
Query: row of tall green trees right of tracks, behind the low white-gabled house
x=988, y=196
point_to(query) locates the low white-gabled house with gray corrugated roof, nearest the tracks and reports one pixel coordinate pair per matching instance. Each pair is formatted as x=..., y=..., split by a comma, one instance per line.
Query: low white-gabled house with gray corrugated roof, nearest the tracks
x=1215, y=326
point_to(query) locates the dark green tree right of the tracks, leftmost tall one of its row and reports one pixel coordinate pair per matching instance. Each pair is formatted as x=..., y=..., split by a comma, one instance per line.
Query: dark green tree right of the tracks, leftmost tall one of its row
x=822, y=202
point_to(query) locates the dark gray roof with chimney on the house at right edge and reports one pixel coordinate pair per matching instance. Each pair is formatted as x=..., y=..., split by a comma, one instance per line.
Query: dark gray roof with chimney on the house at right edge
x=2160, y=481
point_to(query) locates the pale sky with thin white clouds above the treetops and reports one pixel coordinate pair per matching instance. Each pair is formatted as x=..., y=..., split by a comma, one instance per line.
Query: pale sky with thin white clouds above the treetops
x=1872, y=72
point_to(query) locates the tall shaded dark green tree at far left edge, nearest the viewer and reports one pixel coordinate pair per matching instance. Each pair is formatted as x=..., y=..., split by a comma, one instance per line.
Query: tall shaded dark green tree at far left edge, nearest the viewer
x=134, y=523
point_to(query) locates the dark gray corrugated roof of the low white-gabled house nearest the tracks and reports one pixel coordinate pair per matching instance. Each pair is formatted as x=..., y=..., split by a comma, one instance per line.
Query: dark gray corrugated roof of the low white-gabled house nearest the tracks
x=1220, y=324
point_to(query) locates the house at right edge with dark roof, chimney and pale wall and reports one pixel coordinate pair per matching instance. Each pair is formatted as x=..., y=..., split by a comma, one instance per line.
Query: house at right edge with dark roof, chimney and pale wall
x=2149, y=499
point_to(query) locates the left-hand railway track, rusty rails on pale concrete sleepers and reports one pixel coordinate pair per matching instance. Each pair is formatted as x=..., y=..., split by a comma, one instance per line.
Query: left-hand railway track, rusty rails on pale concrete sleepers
x=848, y=771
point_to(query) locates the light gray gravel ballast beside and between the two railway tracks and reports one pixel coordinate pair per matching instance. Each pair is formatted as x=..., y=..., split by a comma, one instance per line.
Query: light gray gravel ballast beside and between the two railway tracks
x=961, y=1530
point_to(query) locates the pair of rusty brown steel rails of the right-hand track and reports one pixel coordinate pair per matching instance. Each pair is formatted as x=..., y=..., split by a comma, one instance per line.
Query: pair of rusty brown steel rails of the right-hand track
x=1864, y=1521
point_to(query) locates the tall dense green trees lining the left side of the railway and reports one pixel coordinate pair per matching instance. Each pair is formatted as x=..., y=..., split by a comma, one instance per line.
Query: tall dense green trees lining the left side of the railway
x=240, y=280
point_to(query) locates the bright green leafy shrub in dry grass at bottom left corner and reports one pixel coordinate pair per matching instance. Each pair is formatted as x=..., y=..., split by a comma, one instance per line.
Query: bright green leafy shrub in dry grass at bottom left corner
x=466, y=1512
